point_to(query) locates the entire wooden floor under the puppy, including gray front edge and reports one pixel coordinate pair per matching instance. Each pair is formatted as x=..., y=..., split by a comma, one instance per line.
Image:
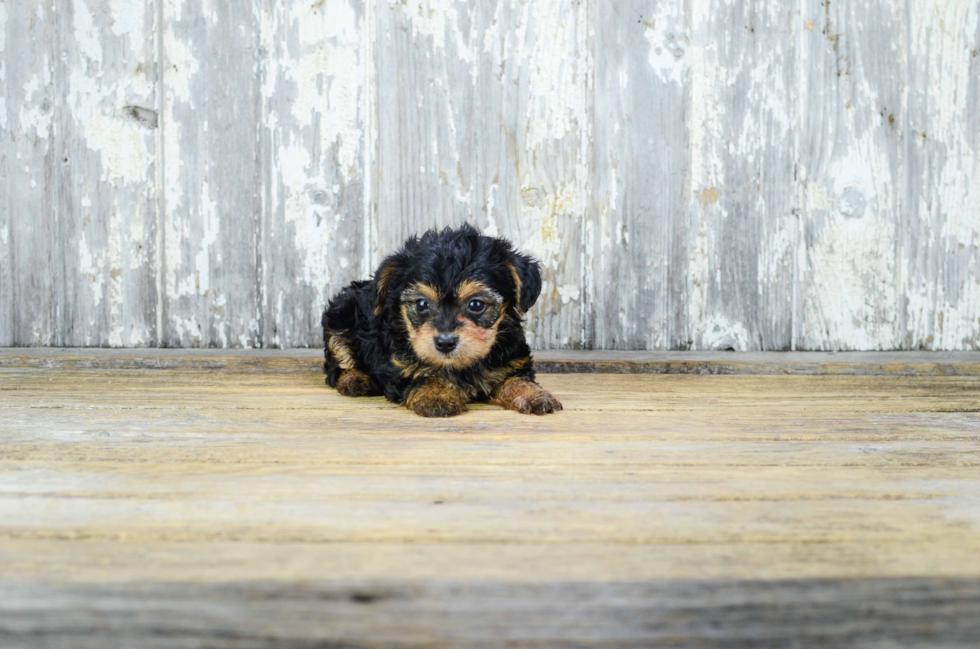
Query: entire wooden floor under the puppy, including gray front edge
x=252, y=506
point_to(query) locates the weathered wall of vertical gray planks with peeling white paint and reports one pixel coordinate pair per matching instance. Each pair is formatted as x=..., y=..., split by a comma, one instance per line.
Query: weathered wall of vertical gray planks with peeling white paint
x=694, y=174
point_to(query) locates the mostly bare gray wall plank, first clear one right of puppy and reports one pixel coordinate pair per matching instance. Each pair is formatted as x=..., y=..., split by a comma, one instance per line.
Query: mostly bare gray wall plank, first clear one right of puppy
x=637, y=239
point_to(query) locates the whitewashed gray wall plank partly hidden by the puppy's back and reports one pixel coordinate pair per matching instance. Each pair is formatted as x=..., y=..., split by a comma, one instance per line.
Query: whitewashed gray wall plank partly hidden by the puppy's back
x=314, y=80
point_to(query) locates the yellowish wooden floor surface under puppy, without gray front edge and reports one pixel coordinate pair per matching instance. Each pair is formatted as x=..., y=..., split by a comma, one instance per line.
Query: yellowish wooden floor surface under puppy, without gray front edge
x=173, y=474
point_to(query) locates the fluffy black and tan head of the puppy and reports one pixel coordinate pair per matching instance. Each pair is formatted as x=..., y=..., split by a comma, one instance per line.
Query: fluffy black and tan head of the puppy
x=451, y=290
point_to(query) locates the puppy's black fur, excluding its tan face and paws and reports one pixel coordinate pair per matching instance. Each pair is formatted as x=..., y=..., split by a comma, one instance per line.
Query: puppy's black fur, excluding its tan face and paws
x=367, y=315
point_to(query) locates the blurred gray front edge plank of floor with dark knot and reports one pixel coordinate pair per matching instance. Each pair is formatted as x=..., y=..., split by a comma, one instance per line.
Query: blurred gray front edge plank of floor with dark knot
x=914, y=612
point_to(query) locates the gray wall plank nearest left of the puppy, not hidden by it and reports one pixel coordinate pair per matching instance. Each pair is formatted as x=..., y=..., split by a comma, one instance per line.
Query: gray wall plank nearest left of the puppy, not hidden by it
x=212, y=225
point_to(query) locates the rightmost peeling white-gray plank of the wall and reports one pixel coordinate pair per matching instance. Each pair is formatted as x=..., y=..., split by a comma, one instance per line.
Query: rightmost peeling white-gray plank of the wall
x=940, y=262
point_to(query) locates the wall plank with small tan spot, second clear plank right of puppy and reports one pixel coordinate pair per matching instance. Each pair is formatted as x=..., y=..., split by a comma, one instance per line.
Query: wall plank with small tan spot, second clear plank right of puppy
x=742, y=228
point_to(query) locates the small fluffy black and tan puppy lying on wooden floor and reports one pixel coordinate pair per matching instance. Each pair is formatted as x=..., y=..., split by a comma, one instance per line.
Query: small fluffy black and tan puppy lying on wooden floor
x=438, y=327
